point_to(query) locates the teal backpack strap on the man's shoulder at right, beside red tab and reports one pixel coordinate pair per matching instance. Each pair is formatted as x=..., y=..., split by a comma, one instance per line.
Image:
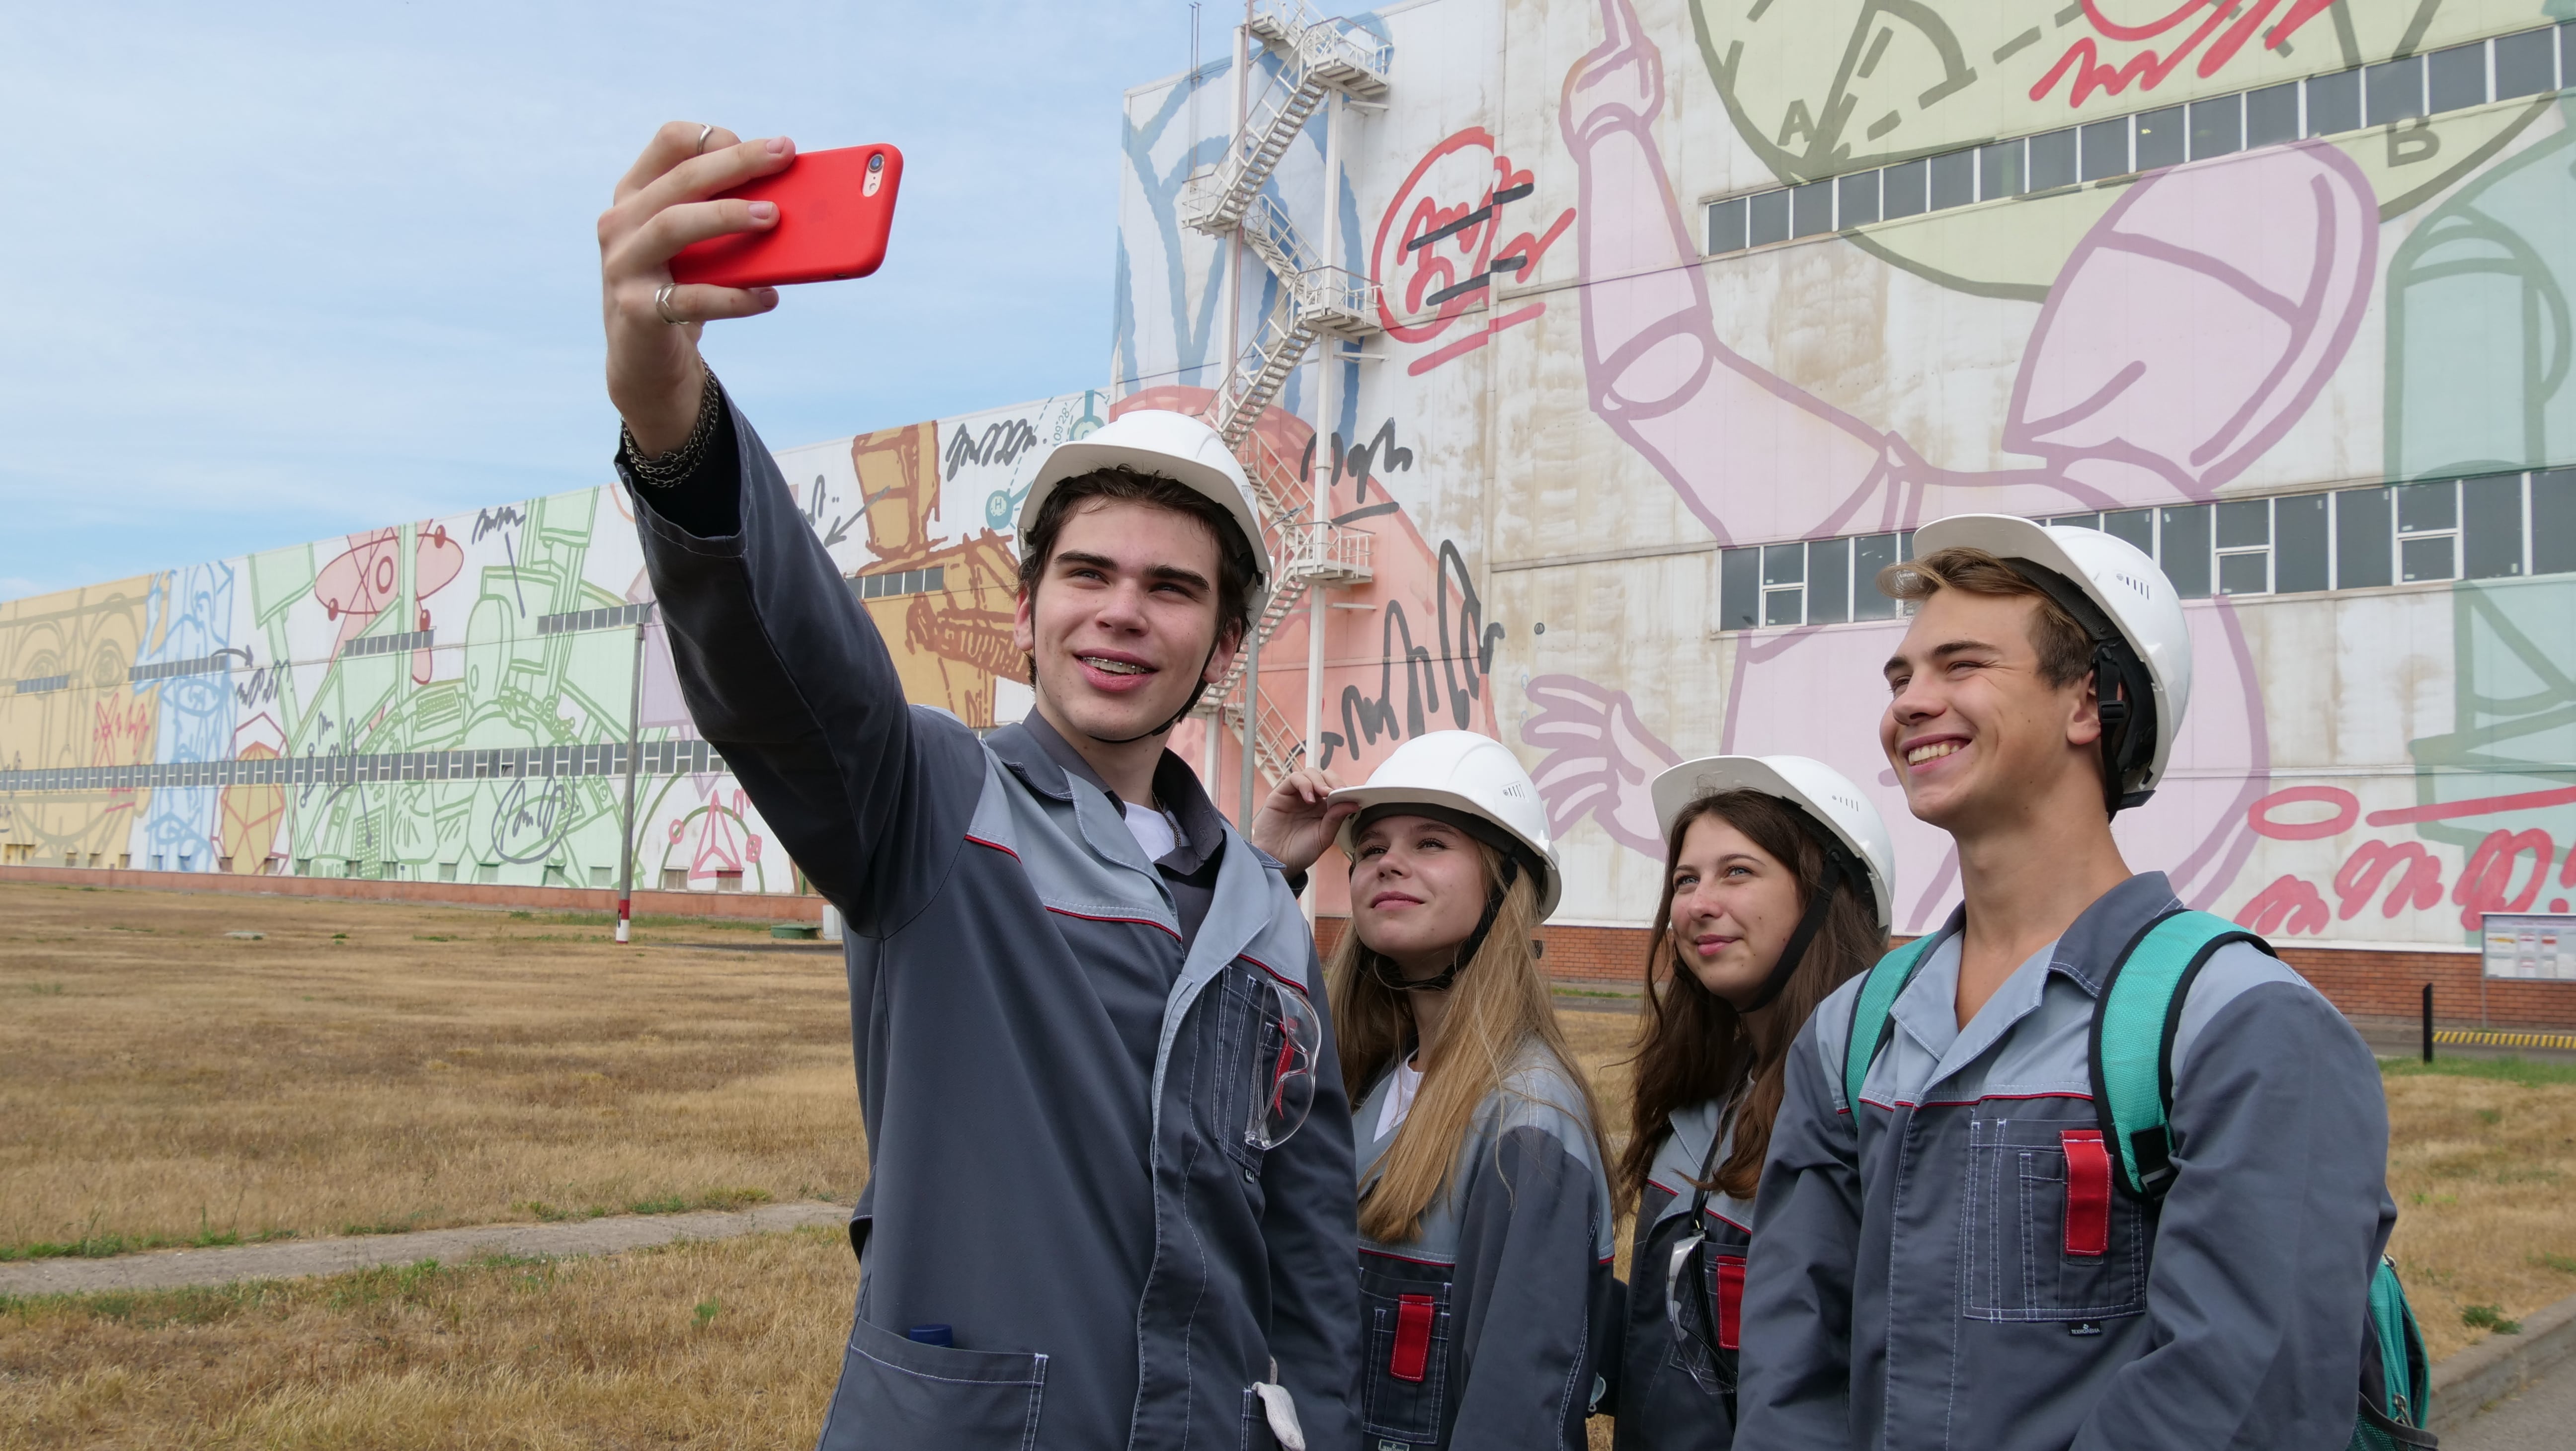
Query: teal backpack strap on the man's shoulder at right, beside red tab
x=2134, y=1040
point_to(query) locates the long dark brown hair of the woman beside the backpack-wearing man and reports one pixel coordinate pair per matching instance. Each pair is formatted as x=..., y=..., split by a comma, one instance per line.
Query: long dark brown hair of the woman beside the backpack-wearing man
x=1694, y=1045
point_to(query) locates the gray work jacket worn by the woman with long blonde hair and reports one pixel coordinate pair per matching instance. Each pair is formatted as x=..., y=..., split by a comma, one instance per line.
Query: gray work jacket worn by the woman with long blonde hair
x=1485, y=1331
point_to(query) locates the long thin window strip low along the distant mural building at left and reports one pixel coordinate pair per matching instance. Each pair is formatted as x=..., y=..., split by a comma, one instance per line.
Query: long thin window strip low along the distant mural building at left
x=609, y=759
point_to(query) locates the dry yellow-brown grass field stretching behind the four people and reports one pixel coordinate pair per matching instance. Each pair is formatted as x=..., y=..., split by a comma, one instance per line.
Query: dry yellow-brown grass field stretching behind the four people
x=161, y=1081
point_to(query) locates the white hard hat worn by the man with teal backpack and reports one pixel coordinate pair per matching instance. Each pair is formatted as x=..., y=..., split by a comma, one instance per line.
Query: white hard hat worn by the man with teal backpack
x=2124, y=591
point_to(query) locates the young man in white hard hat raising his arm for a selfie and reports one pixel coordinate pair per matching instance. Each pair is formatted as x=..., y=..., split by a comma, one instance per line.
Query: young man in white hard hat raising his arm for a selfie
x=1112, y=1187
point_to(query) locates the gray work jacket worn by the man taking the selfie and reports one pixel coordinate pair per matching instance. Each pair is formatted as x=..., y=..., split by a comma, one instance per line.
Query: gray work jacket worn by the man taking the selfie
x=1117, y=1262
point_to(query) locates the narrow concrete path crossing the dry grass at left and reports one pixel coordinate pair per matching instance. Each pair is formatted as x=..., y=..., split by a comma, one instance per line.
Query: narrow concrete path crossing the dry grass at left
x=171, y=1269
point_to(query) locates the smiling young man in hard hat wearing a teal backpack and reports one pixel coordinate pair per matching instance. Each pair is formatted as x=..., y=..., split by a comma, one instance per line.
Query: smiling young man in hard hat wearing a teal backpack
x=2080, y=1169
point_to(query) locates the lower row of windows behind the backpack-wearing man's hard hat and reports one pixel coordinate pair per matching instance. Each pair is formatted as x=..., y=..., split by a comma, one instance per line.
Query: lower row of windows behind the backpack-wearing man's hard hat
x=2495, y=527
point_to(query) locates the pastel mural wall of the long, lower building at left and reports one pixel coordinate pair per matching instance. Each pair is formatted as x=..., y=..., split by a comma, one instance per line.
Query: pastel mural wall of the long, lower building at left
x=447, y=700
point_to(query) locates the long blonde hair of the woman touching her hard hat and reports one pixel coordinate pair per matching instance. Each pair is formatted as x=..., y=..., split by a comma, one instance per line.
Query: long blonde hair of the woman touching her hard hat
x=1498, y=1004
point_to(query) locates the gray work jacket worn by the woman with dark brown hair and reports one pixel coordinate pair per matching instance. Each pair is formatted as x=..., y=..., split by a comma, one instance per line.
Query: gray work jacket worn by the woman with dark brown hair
x=1678, y=1383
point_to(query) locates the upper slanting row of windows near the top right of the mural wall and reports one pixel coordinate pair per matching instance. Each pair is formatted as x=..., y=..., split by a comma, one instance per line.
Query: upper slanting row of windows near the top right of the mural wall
x=2528, y=63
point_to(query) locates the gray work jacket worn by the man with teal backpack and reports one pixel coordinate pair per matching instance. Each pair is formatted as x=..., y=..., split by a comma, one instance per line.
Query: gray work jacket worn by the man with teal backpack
x=1918, y=1282
